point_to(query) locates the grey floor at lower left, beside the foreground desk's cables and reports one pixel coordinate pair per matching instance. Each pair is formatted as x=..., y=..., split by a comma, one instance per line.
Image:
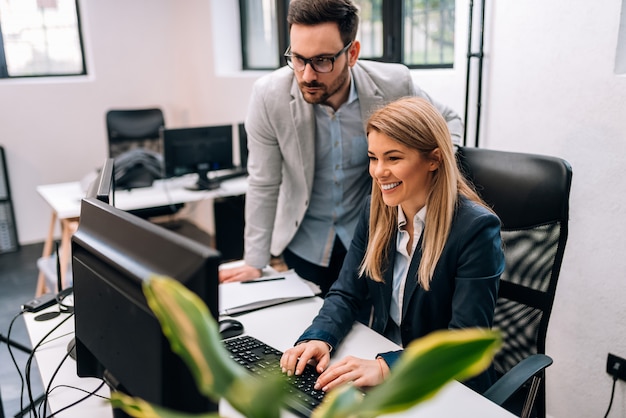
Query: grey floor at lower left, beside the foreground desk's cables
x=18, y=280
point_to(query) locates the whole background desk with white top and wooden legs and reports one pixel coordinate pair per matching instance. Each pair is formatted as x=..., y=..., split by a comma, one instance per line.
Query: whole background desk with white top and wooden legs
x=64, y=200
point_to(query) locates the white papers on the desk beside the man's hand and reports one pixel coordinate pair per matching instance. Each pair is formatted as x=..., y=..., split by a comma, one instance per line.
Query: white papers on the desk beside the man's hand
x=241, y=297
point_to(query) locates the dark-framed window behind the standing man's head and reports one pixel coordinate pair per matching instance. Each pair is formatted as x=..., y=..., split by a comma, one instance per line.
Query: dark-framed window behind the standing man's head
x=417, y=33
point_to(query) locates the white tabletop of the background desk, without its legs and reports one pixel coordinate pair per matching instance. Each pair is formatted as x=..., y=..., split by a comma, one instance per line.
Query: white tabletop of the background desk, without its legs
x=64, y=198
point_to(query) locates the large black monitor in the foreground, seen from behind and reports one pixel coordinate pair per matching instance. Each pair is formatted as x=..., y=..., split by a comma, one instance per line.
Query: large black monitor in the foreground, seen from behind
x=117, y=336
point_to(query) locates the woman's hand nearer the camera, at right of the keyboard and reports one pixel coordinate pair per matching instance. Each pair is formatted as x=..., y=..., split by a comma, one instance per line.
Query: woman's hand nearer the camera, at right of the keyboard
x=357, y=371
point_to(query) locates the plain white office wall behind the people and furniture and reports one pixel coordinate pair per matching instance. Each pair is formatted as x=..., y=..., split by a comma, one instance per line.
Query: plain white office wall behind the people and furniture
x=549, y=88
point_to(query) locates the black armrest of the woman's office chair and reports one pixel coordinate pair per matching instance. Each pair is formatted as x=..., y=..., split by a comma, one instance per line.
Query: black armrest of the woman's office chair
x=515, y=378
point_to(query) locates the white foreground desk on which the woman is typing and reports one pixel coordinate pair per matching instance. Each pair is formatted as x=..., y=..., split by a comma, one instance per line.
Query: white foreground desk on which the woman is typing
x=278, y=326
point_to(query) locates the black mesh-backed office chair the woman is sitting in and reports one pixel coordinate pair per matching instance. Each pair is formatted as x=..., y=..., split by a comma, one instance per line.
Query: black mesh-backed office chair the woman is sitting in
x=530, y=194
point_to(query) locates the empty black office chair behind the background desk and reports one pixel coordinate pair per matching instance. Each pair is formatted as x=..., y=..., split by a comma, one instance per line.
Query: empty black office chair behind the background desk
x=135, y=143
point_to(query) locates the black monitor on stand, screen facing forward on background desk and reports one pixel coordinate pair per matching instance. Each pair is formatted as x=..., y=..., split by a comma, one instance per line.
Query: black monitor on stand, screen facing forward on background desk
x=198, y=150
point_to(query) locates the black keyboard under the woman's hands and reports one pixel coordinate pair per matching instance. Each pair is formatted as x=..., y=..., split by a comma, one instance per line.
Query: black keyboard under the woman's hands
x=261, y=359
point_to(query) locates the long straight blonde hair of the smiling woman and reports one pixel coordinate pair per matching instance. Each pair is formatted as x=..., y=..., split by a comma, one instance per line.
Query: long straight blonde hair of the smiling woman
x=416, y=123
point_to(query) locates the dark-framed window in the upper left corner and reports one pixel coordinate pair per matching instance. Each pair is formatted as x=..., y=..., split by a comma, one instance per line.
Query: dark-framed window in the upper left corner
x=40, y=38
